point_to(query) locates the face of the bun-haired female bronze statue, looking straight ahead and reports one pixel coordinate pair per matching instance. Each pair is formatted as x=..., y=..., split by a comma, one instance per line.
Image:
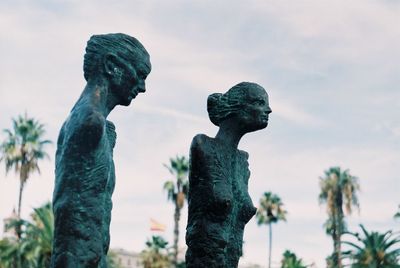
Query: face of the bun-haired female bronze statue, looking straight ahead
x=256, y=110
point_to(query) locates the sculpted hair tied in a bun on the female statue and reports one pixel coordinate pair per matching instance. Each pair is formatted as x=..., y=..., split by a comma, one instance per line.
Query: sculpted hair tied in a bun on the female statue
x=222, y=106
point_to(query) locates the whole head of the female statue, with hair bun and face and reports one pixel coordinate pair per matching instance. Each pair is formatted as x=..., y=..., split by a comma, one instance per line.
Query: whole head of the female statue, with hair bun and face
x=246, y=103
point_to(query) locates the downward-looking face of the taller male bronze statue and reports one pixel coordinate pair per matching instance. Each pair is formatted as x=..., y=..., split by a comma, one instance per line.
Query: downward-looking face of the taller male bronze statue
x=131, y=80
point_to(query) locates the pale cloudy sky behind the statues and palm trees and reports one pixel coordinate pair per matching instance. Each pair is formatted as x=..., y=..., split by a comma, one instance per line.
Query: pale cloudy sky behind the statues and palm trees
x=331, y=69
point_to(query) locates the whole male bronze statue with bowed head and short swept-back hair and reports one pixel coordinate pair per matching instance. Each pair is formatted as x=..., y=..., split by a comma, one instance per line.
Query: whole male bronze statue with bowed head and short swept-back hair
x=115, y=68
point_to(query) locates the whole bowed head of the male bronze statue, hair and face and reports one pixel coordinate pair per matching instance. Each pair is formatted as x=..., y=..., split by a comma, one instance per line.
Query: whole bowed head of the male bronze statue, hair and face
x=122, y=60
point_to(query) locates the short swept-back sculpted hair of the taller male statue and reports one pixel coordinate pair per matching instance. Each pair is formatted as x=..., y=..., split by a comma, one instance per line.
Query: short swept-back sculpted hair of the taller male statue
x=124, y=46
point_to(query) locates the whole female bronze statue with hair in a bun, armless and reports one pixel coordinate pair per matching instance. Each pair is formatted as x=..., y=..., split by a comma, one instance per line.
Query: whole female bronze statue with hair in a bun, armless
x=219, y=202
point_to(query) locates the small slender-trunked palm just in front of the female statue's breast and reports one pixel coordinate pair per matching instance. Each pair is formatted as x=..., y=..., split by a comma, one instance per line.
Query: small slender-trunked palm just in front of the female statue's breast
x=270, y=211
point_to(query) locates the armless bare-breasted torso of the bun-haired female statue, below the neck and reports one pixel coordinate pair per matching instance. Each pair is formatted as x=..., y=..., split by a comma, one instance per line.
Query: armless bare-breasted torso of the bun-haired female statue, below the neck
x=219, y=203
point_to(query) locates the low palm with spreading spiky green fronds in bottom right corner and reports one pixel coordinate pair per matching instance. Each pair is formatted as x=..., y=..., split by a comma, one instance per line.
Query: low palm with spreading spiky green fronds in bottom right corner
x=374, y=249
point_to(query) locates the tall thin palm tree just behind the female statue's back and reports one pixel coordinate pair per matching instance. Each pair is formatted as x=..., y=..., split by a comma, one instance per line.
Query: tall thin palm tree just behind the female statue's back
x=177, y=191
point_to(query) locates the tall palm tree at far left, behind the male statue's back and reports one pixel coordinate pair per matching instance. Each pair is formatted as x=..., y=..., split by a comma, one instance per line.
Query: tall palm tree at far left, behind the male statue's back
x=22, y=149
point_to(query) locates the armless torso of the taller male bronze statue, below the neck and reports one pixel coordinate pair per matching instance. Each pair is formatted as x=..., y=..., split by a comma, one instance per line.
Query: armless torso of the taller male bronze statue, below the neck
x=85, y=180
